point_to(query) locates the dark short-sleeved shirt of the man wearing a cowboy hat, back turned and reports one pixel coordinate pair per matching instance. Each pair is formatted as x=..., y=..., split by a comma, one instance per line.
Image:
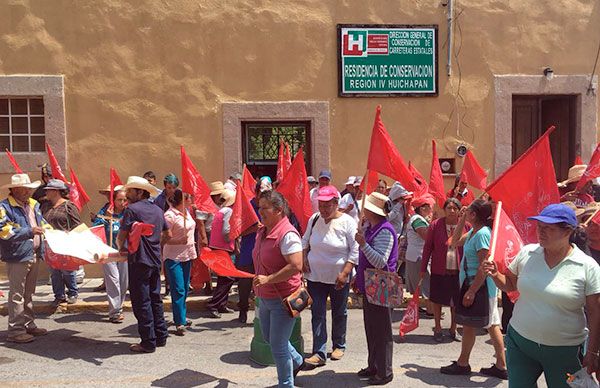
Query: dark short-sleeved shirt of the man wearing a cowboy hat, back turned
x=149, y=251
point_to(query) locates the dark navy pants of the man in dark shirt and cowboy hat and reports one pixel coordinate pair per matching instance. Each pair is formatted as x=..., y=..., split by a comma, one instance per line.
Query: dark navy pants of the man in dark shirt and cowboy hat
x=146, y=302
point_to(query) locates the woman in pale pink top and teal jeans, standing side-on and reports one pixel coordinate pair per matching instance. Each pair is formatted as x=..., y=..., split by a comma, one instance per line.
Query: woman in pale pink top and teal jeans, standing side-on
x=178, y=254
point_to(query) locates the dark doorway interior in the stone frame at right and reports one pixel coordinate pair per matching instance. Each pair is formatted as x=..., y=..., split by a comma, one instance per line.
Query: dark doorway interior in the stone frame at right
x=532, y=115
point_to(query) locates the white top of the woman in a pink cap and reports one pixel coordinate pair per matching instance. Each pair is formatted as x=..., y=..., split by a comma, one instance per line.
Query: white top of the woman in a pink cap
x=331, y=246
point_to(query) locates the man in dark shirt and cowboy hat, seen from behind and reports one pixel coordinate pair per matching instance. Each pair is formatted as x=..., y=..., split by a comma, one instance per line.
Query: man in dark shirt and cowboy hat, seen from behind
x=144, y=265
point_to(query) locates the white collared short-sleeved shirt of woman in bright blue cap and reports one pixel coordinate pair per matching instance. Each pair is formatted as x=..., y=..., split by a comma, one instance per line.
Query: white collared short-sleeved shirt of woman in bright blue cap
x=549, y=310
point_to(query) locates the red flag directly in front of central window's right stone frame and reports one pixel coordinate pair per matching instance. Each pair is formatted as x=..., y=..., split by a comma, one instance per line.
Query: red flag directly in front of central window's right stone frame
x=294, y=188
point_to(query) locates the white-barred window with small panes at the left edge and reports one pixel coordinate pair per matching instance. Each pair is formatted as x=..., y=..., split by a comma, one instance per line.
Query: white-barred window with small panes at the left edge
x=22, y=126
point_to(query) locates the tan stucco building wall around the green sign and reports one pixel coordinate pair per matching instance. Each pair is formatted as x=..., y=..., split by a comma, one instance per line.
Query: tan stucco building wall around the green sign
x=143, y=77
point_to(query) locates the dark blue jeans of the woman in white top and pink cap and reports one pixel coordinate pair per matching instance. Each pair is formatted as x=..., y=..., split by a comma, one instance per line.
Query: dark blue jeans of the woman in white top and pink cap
x=339, y=316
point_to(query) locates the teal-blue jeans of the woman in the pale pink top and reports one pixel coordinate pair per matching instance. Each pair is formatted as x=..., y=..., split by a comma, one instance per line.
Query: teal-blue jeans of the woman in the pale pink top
x=179, y=281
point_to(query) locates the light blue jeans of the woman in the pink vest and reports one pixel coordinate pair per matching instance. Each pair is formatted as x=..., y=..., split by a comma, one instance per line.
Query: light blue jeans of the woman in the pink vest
x=277, y=326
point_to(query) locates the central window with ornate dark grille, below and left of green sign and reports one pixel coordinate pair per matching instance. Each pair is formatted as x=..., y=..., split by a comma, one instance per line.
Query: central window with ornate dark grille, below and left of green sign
x=261, y=143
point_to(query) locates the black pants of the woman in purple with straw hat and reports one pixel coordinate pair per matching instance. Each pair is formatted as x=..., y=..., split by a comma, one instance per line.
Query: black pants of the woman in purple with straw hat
x=378, y=328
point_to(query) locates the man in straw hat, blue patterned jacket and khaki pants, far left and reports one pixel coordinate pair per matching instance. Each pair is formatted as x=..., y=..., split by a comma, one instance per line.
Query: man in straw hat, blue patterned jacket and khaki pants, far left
x=21, y=229
